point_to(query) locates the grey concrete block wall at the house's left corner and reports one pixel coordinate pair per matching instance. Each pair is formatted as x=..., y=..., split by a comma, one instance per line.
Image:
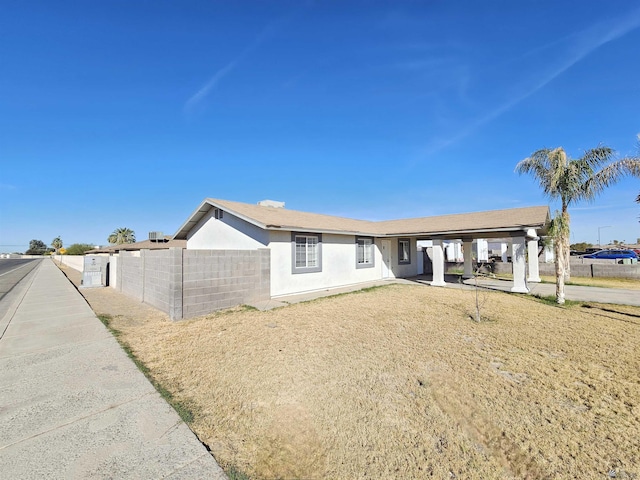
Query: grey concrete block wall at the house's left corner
x=187, y=283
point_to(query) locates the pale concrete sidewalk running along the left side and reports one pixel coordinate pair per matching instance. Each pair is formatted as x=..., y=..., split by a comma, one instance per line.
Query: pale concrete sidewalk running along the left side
x=73, y=405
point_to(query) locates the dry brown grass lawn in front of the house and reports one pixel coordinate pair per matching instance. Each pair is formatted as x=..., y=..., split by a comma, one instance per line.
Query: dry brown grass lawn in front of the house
x=398, y=382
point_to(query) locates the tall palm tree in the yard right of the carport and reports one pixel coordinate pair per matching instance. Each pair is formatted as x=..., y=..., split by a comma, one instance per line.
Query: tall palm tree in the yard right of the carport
x=571, y=181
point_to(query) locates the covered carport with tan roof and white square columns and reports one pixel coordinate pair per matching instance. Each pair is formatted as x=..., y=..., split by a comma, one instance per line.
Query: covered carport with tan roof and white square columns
x=521, y=226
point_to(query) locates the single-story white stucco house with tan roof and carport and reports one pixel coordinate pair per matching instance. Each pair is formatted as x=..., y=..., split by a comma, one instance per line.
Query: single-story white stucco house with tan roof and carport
x=310, y=251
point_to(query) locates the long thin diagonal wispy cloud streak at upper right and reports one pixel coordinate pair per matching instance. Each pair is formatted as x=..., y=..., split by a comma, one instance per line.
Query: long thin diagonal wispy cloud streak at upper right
x=576, y=47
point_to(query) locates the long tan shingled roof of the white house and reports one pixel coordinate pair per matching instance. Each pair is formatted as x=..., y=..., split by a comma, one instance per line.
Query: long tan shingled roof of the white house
x=487, y=224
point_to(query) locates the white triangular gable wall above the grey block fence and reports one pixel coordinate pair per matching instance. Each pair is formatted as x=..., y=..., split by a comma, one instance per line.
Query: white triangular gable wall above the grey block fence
x=229, y=232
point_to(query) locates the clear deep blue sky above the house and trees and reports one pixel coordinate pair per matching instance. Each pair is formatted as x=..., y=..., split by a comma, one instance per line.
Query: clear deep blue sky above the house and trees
x=128, y=114
